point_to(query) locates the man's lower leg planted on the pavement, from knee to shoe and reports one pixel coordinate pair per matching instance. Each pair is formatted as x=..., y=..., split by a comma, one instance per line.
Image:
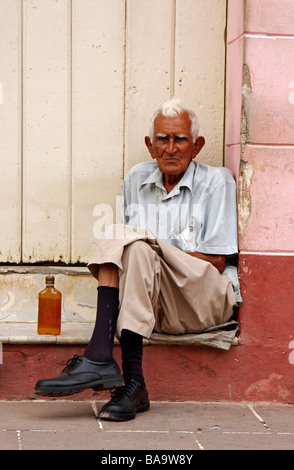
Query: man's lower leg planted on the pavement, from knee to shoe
x=139, y=283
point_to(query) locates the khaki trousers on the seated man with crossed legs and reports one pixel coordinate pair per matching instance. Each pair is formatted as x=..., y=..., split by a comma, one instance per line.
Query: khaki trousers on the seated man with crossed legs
x=162, y=288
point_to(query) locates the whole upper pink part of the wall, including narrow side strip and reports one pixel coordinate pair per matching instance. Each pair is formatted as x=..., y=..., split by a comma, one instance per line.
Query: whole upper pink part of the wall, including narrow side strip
x=261, y=48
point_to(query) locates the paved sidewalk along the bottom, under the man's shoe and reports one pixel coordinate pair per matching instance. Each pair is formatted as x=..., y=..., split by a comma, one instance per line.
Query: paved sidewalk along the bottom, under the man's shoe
x=189, y=426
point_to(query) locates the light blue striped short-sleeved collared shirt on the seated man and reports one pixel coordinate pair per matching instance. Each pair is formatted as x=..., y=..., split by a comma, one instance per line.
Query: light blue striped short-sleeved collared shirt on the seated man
x=199, y=214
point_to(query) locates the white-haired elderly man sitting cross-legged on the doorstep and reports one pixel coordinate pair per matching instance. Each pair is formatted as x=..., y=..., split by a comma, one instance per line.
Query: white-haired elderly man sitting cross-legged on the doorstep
x=166, y=268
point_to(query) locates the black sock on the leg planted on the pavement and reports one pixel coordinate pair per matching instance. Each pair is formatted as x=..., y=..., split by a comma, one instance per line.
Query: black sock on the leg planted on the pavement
x=132, y=355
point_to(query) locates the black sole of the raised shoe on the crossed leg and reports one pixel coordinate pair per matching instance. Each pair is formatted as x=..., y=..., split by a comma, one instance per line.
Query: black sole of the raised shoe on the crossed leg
x=98, y=385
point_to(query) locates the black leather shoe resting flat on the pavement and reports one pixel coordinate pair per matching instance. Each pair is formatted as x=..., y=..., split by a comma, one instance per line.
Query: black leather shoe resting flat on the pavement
x=126, y=402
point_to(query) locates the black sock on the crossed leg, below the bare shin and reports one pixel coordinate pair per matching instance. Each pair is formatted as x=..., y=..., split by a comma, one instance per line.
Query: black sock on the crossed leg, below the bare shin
x=100, y=347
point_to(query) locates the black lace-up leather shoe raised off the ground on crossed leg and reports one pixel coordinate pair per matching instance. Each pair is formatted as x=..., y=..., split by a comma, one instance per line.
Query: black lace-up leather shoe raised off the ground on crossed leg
x=79, y=374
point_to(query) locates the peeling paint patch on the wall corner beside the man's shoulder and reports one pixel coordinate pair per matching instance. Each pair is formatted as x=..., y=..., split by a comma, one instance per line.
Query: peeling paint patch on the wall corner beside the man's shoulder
x=244, y=205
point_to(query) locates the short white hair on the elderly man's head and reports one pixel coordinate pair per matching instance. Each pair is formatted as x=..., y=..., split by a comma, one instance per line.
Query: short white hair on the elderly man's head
x=174, y=108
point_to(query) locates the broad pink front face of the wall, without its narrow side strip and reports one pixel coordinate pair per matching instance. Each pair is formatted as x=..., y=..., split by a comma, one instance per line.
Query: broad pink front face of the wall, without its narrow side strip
x=269, y=108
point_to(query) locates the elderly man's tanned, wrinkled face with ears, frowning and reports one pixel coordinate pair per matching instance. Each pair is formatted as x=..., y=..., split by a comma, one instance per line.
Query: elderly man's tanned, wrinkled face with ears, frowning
x=172, y=145
